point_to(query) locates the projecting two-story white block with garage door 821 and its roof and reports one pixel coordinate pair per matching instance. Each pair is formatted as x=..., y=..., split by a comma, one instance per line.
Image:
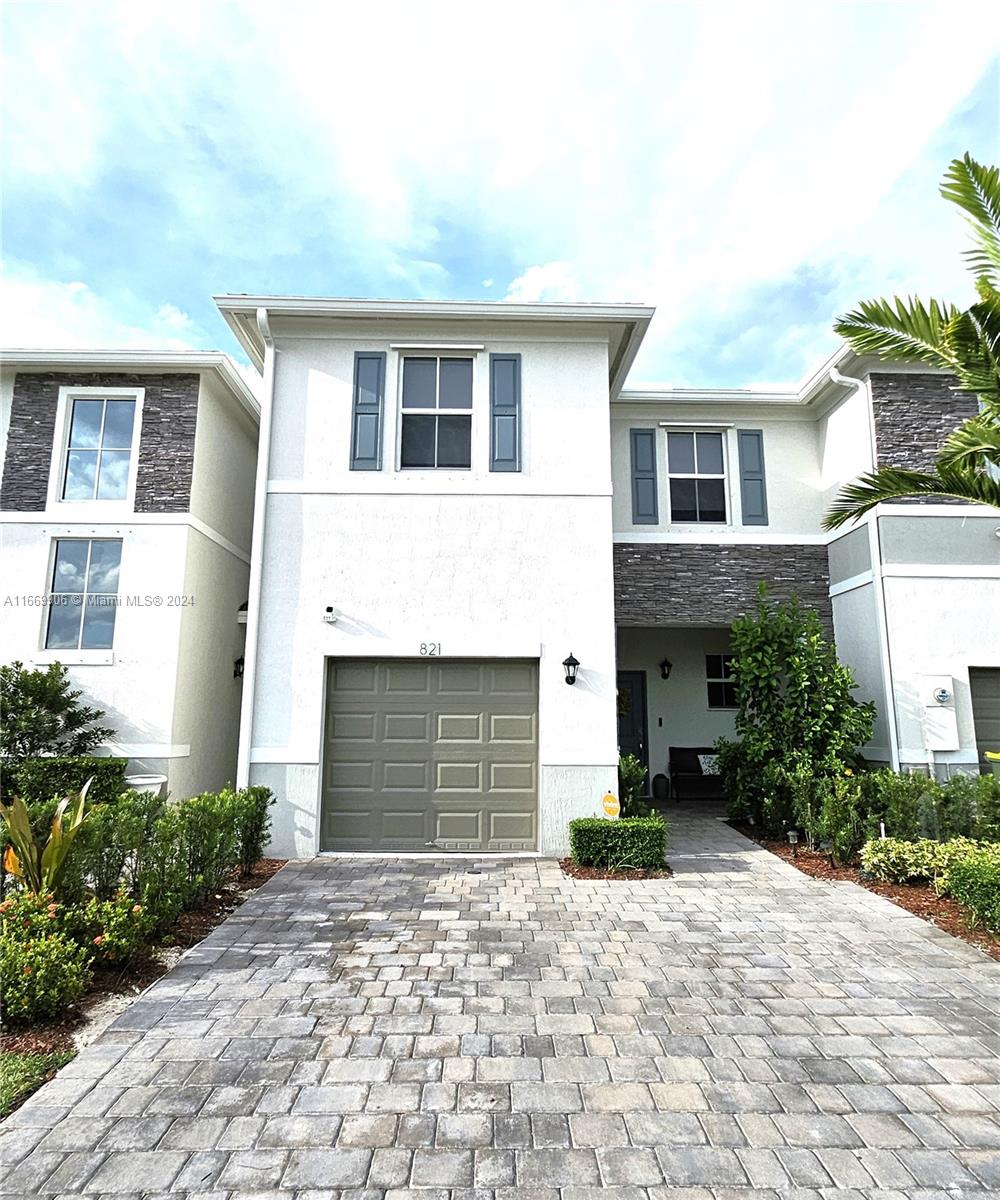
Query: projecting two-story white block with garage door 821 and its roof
x=433, y=542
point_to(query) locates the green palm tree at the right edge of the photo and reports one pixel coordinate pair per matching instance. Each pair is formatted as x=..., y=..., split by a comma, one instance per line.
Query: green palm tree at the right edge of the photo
x=965, y=343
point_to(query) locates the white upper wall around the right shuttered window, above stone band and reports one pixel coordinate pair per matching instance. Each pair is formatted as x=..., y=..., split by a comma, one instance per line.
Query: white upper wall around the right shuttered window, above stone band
x=792, y=467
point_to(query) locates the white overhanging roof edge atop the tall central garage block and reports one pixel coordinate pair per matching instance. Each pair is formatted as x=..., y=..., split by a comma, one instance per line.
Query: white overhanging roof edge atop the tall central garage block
x=239, y=313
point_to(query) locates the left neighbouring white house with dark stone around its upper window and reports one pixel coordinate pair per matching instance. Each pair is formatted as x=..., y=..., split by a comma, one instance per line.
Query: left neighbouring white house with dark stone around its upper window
x=128, y=506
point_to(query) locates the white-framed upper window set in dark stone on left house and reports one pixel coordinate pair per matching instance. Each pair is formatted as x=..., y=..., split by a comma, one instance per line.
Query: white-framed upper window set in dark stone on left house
x=99, y=455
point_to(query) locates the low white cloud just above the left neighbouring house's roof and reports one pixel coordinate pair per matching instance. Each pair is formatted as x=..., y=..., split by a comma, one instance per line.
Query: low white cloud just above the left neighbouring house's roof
x=38, y=314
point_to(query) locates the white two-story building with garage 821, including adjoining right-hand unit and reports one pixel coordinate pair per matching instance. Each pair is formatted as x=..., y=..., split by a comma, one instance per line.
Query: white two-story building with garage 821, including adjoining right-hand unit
x=458, y=501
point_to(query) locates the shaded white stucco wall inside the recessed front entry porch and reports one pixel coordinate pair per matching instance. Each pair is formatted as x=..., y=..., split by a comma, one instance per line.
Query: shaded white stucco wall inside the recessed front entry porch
x=681, y=703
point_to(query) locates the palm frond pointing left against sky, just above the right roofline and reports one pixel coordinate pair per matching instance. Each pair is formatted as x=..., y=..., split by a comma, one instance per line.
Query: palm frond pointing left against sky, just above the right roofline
x=907, y=332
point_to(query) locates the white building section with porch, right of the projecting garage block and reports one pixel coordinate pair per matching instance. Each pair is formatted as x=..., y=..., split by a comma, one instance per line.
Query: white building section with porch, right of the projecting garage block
x=718, y=490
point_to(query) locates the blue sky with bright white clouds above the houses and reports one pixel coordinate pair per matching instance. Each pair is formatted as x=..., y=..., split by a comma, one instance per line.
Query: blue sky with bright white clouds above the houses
x=750, y=169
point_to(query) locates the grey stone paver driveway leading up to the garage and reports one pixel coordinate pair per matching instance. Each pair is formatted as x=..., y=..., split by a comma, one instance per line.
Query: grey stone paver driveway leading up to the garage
x=453, y=1025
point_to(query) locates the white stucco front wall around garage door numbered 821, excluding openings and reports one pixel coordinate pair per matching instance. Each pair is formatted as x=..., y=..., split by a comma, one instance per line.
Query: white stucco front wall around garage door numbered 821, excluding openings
x=489, y=566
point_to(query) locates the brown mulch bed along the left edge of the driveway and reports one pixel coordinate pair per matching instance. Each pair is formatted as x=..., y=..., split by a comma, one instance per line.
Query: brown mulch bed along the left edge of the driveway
x=190, y=929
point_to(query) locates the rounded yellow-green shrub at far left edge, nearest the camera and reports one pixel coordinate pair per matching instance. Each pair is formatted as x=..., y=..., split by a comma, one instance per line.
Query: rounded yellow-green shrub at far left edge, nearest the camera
x=41, y=970
